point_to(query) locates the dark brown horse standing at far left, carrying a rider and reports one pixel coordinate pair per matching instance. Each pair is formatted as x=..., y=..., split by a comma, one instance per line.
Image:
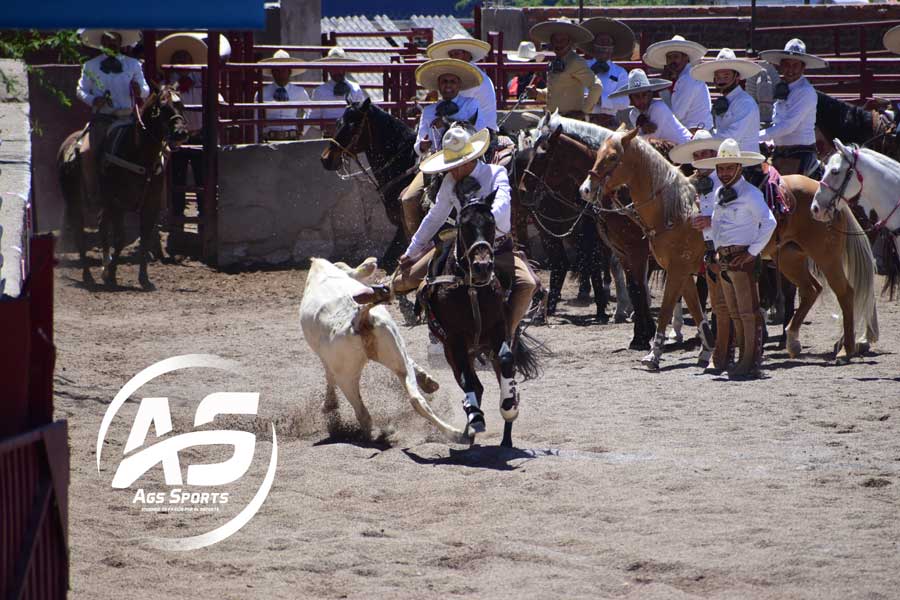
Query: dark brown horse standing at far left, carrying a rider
x=131, y=180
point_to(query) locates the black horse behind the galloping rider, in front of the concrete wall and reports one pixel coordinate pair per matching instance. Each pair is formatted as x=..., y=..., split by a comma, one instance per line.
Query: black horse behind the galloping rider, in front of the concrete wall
x=387, y=143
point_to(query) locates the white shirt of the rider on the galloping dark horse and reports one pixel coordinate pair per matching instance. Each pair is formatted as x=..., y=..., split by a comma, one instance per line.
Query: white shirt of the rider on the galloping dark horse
x=491, y=177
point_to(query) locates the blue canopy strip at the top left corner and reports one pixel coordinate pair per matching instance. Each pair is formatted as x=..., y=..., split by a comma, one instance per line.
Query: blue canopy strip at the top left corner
x=136, y=14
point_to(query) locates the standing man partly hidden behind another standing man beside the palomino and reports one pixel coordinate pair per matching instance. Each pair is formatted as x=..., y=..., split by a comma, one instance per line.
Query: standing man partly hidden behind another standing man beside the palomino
x=705, y=181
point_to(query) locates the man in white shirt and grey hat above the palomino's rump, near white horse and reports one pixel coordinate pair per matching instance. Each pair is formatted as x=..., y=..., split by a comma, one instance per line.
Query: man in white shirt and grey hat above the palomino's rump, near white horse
x=794, y=117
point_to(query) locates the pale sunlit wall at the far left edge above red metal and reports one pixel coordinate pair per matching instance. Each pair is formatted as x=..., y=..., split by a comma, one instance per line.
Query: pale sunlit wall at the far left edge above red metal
x=15, y=177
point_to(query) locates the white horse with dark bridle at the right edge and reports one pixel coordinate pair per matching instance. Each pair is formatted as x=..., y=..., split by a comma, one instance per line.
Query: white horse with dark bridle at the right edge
x=873, y=180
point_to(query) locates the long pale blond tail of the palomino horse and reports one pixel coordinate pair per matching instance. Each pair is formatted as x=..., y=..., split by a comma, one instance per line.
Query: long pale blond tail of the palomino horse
x=859, y=265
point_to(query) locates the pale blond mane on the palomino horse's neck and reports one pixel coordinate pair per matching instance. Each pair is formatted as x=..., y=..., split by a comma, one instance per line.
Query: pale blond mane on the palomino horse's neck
x=676, y=191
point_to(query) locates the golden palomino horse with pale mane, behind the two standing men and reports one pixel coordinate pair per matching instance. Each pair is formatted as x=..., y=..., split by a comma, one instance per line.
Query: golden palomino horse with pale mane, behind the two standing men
x=664, y=204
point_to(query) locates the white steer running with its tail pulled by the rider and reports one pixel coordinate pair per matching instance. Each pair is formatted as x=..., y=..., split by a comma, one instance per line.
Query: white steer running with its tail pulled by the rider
x=346, y=330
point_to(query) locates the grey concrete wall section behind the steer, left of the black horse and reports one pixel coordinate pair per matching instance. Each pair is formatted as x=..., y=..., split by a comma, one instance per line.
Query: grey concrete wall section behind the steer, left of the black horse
x=277, y=205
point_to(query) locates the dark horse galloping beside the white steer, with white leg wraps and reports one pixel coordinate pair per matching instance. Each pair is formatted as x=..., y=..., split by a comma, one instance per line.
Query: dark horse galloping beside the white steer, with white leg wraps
x=467, y=312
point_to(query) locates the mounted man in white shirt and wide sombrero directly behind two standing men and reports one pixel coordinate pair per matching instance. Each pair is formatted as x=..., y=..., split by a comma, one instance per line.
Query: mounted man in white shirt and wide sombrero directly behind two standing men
x=735, y=112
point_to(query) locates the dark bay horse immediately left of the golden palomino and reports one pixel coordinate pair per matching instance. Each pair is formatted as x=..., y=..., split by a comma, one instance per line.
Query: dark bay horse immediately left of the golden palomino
x=560, y=160
